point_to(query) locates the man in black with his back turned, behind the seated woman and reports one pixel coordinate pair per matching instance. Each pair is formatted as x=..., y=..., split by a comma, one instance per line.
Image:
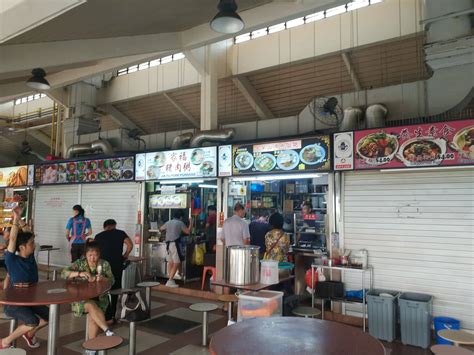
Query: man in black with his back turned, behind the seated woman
x=111, y=243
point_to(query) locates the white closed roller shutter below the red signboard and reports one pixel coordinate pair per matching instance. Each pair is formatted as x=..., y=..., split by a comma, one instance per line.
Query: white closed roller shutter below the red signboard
x=418, y=230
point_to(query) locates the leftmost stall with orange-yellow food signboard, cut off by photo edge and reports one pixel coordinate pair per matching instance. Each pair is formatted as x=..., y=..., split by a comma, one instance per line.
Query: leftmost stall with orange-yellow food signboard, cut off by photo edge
x=15, y=189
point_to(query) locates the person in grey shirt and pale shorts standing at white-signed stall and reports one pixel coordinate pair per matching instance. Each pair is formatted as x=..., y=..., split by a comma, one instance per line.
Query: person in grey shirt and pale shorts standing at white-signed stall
x=173, y=229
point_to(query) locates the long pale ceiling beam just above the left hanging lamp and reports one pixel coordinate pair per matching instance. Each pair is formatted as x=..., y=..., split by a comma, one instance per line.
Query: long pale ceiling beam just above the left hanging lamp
x=20, y=58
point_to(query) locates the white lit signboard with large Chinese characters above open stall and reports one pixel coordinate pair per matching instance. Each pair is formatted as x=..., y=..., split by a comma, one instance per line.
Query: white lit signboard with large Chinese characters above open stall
x=178, y=164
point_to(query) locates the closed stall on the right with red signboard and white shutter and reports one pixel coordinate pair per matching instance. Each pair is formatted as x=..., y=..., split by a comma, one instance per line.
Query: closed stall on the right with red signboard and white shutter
x=406, y=198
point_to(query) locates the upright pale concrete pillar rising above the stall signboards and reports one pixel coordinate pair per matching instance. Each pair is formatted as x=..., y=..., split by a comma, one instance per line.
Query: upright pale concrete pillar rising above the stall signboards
x=209, y=89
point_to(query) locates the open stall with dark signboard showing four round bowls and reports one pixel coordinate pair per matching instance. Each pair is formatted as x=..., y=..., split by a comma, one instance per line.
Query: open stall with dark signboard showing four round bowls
x=281, y=176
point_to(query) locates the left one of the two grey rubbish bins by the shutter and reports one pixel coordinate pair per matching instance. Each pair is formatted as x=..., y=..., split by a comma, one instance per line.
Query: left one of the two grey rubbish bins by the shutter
x=382, y=311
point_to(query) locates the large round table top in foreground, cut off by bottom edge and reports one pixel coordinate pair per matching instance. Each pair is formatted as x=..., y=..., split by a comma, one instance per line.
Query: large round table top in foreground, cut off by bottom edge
x=293, y=335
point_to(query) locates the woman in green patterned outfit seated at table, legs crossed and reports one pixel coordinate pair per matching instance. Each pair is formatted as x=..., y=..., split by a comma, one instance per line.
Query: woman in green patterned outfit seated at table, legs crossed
x=91, y=268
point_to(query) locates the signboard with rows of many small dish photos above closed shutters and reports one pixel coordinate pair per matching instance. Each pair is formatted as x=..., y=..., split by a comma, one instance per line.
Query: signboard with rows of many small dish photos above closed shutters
x=86, y=171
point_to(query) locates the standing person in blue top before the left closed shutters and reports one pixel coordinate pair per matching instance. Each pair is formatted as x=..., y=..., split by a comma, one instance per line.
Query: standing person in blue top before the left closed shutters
x=78, y=228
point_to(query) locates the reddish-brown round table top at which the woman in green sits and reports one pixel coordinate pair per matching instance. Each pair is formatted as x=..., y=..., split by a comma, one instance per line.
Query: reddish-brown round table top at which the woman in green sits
x=53, y=292
